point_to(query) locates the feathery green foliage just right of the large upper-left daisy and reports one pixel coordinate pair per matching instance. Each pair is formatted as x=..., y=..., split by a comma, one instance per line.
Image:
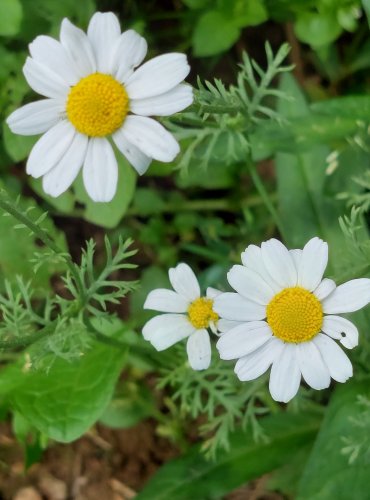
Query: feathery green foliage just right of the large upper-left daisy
x=218, y=129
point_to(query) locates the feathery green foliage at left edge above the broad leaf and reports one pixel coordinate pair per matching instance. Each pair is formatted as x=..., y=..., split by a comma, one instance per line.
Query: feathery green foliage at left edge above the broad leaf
x=91, y=290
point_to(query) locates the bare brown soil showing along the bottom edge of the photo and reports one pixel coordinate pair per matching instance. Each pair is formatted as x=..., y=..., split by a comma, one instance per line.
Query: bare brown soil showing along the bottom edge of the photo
x=105, y=464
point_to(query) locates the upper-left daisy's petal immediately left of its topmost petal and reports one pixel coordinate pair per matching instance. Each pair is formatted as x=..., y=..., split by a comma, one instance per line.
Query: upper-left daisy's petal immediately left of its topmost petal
x=76, y=43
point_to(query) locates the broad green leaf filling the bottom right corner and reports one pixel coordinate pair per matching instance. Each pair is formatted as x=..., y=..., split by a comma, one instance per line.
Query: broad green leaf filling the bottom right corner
x=328, y=473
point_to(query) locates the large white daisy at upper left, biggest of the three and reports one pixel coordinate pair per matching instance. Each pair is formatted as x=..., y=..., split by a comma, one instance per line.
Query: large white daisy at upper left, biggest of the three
x=94, y=91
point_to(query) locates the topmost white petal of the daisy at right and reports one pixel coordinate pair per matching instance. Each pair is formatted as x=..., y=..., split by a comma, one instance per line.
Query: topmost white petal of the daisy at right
x=313, y=264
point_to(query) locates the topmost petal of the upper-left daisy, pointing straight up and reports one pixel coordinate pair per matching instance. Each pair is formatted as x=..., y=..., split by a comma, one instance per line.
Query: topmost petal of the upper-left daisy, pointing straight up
x=103, y=33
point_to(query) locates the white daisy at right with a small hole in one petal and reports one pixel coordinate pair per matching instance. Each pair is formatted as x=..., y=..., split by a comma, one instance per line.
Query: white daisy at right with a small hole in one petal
x=287, y=314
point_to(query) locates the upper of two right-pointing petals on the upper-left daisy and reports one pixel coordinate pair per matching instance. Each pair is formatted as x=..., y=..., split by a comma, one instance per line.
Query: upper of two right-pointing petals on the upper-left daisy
x=157, y=76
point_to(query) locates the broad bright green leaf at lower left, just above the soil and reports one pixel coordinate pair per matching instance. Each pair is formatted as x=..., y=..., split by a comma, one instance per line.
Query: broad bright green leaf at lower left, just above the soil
x=68, y=399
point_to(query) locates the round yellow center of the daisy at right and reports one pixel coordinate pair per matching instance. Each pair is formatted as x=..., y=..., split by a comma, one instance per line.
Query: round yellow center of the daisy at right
x=295, y=315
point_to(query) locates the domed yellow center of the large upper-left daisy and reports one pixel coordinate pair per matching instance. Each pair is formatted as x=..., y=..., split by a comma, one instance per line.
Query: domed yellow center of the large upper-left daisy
x=97, y=105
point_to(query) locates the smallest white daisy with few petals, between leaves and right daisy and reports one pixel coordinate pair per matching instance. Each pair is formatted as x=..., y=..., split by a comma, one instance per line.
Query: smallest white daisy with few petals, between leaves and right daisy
x=188, y=315
